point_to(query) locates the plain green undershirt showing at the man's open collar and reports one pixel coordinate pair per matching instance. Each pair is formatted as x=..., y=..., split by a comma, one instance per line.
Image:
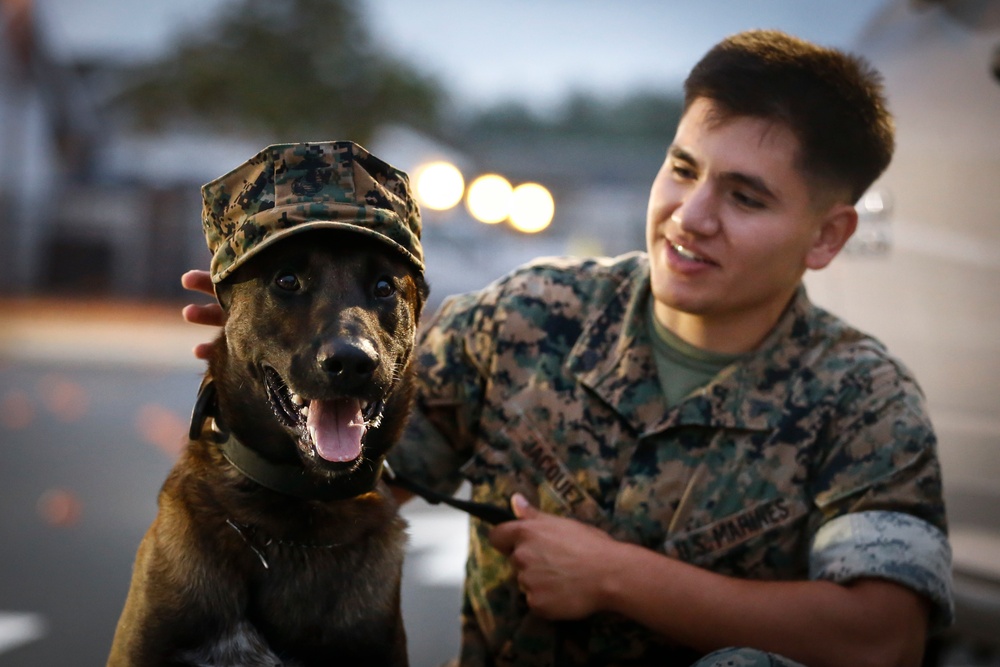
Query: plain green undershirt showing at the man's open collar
x=682, y=367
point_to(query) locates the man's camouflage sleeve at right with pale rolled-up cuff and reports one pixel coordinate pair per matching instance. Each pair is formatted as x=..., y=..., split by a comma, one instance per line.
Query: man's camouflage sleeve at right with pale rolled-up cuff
x=878, y=488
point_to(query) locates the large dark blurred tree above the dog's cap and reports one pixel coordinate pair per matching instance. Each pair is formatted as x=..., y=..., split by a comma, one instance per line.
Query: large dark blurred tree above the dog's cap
x=292, y=69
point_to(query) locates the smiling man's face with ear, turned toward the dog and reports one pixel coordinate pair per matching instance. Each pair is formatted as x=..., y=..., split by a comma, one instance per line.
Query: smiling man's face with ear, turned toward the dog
x=731, y=226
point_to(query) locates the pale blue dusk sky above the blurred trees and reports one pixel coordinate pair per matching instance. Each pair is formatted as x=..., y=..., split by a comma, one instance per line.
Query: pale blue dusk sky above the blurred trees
x=533, y=51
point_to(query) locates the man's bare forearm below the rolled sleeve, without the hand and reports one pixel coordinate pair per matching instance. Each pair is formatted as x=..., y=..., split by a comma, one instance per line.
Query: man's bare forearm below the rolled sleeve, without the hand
x=817, y=623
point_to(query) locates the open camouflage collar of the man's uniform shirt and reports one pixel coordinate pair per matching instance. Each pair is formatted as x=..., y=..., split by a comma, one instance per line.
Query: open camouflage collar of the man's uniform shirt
x=614, y=358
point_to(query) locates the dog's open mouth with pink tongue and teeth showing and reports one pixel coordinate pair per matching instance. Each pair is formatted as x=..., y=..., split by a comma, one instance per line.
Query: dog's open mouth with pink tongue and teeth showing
x=333, y=428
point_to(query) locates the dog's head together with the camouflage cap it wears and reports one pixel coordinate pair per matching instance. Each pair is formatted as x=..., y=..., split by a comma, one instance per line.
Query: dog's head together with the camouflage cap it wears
x=317, y=260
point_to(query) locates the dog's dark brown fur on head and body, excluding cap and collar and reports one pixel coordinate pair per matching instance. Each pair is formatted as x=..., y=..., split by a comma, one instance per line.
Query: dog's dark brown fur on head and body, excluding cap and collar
x=233, y=573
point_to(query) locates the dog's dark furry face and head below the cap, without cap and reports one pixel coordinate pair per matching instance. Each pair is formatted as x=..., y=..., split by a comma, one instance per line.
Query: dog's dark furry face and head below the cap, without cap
x=314, y=358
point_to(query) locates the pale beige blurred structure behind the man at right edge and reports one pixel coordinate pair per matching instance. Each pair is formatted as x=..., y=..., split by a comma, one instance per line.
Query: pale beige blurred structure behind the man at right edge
x=924, y=273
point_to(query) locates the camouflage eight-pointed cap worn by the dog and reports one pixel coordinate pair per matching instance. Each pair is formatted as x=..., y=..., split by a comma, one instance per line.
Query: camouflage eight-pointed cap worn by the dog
x=289, y=188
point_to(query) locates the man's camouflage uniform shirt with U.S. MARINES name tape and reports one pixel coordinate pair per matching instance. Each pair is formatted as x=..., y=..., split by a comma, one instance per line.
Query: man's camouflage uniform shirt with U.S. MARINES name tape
x=545, y=384
